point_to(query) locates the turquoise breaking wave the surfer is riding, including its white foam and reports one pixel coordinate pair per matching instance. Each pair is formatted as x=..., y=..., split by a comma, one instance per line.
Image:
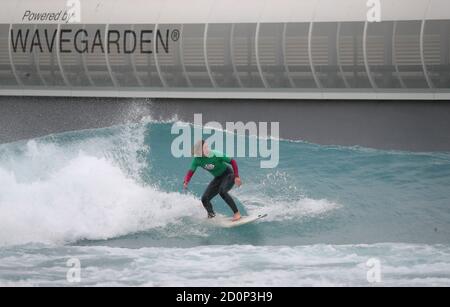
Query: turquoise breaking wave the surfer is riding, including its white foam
x=112, y=183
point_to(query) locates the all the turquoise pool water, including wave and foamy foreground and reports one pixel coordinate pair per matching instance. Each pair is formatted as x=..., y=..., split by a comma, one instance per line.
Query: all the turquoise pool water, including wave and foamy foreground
x=113, y=198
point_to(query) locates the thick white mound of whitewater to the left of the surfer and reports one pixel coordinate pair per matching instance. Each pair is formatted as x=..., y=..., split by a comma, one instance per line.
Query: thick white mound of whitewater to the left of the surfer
x=87, y=199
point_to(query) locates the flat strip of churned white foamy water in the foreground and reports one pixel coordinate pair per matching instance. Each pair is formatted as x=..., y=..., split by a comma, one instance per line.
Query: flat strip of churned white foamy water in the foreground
x=237, y=265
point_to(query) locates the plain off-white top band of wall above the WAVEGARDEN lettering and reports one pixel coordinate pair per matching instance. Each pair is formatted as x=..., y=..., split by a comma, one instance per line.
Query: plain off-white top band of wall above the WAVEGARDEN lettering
x=228, y=11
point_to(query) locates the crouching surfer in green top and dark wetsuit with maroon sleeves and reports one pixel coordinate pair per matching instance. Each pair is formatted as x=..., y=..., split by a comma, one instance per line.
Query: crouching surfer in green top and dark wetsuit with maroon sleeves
x=225, y=178
